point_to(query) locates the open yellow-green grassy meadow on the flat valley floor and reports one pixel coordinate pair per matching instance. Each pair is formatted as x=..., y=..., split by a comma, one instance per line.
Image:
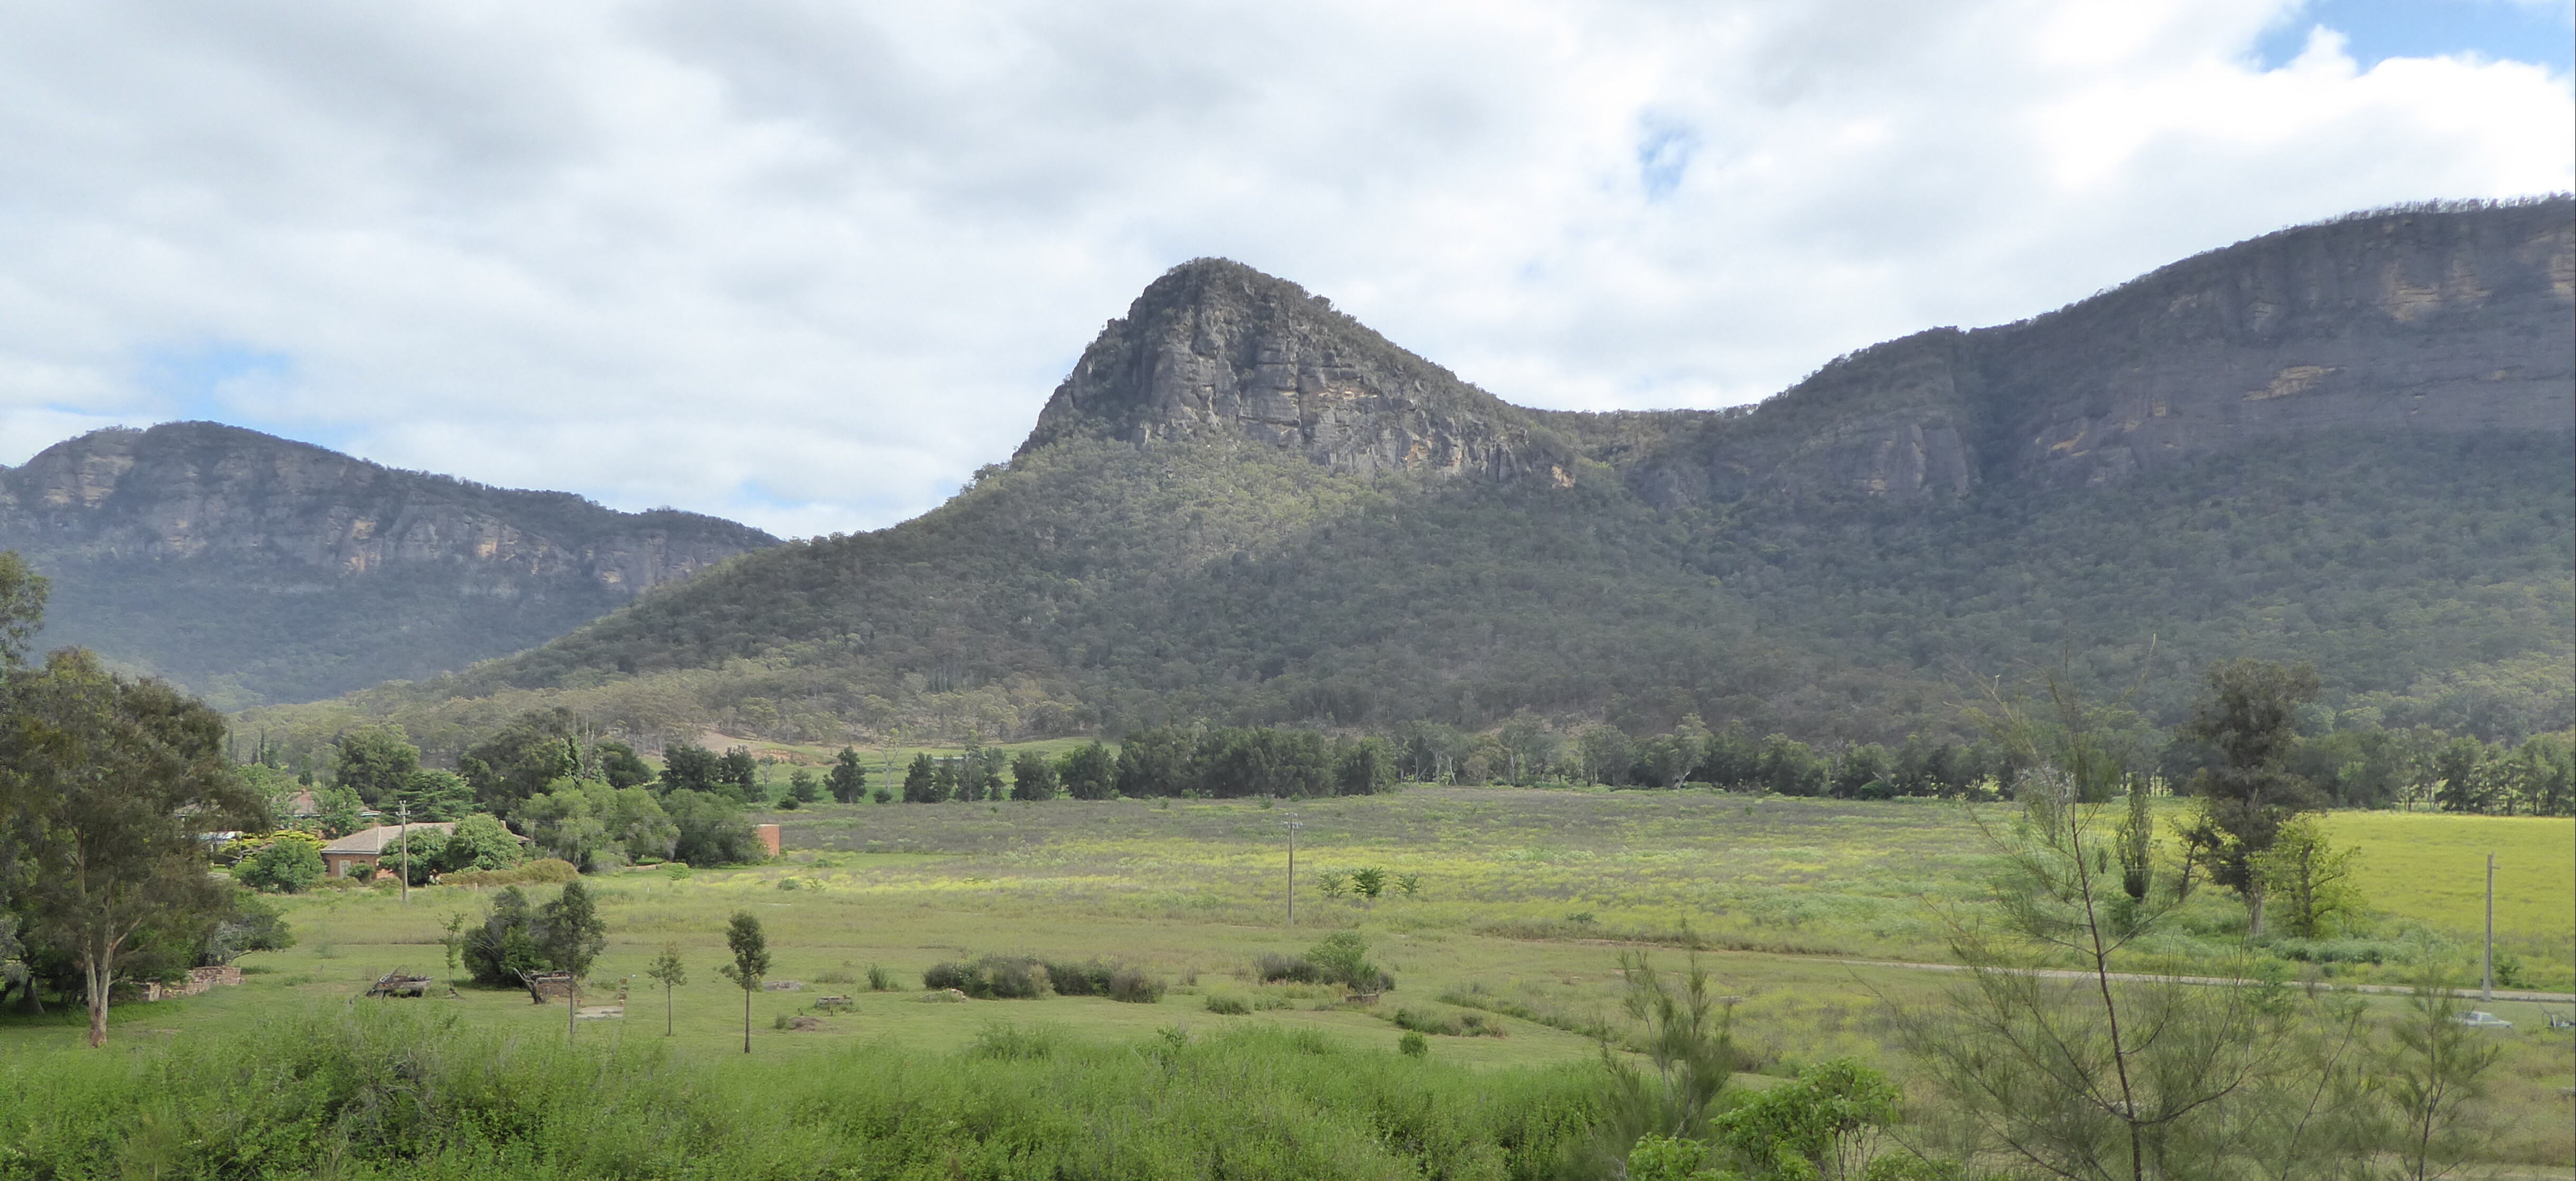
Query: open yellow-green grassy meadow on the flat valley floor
x=1521, y=906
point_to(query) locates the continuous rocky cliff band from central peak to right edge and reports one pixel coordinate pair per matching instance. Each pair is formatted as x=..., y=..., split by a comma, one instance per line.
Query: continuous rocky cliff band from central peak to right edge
x=2405, y=321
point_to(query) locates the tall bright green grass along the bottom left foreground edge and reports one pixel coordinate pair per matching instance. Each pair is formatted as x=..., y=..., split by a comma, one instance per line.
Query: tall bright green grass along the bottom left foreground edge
x=398, y=1095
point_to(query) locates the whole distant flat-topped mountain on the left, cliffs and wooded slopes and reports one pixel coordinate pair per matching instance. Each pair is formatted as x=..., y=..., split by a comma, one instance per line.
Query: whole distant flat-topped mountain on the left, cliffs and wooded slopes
x=254, y=569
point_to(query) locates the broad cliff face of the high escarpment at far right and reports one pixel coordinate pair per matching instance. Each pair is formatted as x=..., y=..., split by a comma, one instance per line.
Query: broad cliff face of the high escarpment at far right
x=2410, y=321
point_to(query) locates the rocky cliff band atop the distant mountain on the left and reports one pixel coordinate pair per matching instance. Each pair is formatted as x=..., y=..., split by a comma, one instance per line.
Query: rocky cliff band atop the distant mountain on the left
x=189, y=491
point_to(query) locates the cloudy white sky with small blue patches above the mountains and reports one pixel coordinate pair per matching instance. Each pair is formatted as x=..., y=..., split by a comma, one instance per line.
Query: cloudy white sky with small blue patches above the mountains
x=810, y=264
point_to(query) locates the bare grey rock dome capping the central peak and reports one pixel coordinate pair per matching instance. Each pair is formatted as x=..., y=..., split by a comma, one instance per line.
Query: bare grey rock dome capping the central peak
x=1222, y=355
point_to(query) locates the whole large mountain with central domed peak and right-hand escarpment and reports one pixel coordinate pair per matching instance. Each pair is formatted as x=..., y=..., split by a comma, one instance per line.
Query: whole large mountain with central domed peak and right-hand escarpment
x=2348, y=442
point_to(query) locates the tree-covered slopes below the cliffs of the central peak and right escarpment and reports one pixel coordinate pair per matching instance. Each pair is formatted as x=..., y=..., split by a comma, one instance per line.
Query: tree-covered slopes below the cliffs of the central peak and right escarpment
x=1096, y=587
